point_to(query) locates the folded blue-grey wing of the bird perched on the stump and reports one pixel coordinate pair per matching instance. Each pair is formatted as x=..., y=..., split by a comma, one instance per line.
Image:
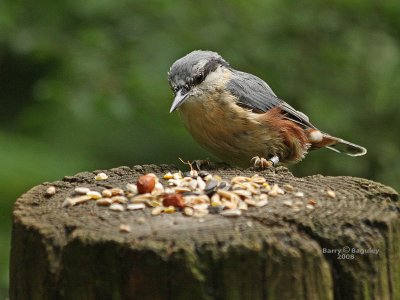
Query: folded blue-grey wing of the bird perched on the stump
x=255, y=94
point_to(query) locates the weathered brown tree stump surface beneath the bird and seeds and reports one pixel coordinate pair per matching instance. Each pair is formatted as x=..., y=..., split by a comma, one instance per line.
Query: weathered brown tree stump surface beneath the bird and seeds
x=272, y=252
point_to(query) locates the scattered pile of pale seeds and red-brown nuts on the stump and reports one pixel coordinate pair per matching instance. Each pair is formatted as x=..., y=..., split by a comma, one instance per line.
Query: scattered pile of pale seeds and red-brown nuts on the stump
x=193, y=193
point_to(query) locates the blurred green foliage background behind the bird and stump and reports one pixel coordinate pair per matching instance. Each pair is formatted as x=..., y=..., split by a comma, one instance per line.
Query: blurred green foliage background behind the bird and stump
x=83, y=83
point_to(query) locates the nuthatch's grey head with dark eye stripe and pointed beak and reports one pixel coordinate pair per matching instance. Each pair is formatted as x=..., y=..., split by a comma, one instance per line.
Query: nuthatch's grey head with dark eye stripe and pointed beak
x=191, y=75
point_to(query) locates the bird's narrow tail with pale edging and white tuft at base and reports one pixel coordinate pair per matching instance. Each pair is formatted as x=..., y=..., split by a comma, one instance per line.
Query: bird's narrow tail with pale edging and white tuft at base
x=319, y=139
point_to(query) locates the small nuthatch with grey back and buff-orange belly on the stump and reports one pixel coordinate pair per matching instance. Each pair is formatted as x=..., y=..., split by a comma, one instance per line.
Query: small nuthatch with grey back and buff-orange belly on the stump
x=237, y=117
